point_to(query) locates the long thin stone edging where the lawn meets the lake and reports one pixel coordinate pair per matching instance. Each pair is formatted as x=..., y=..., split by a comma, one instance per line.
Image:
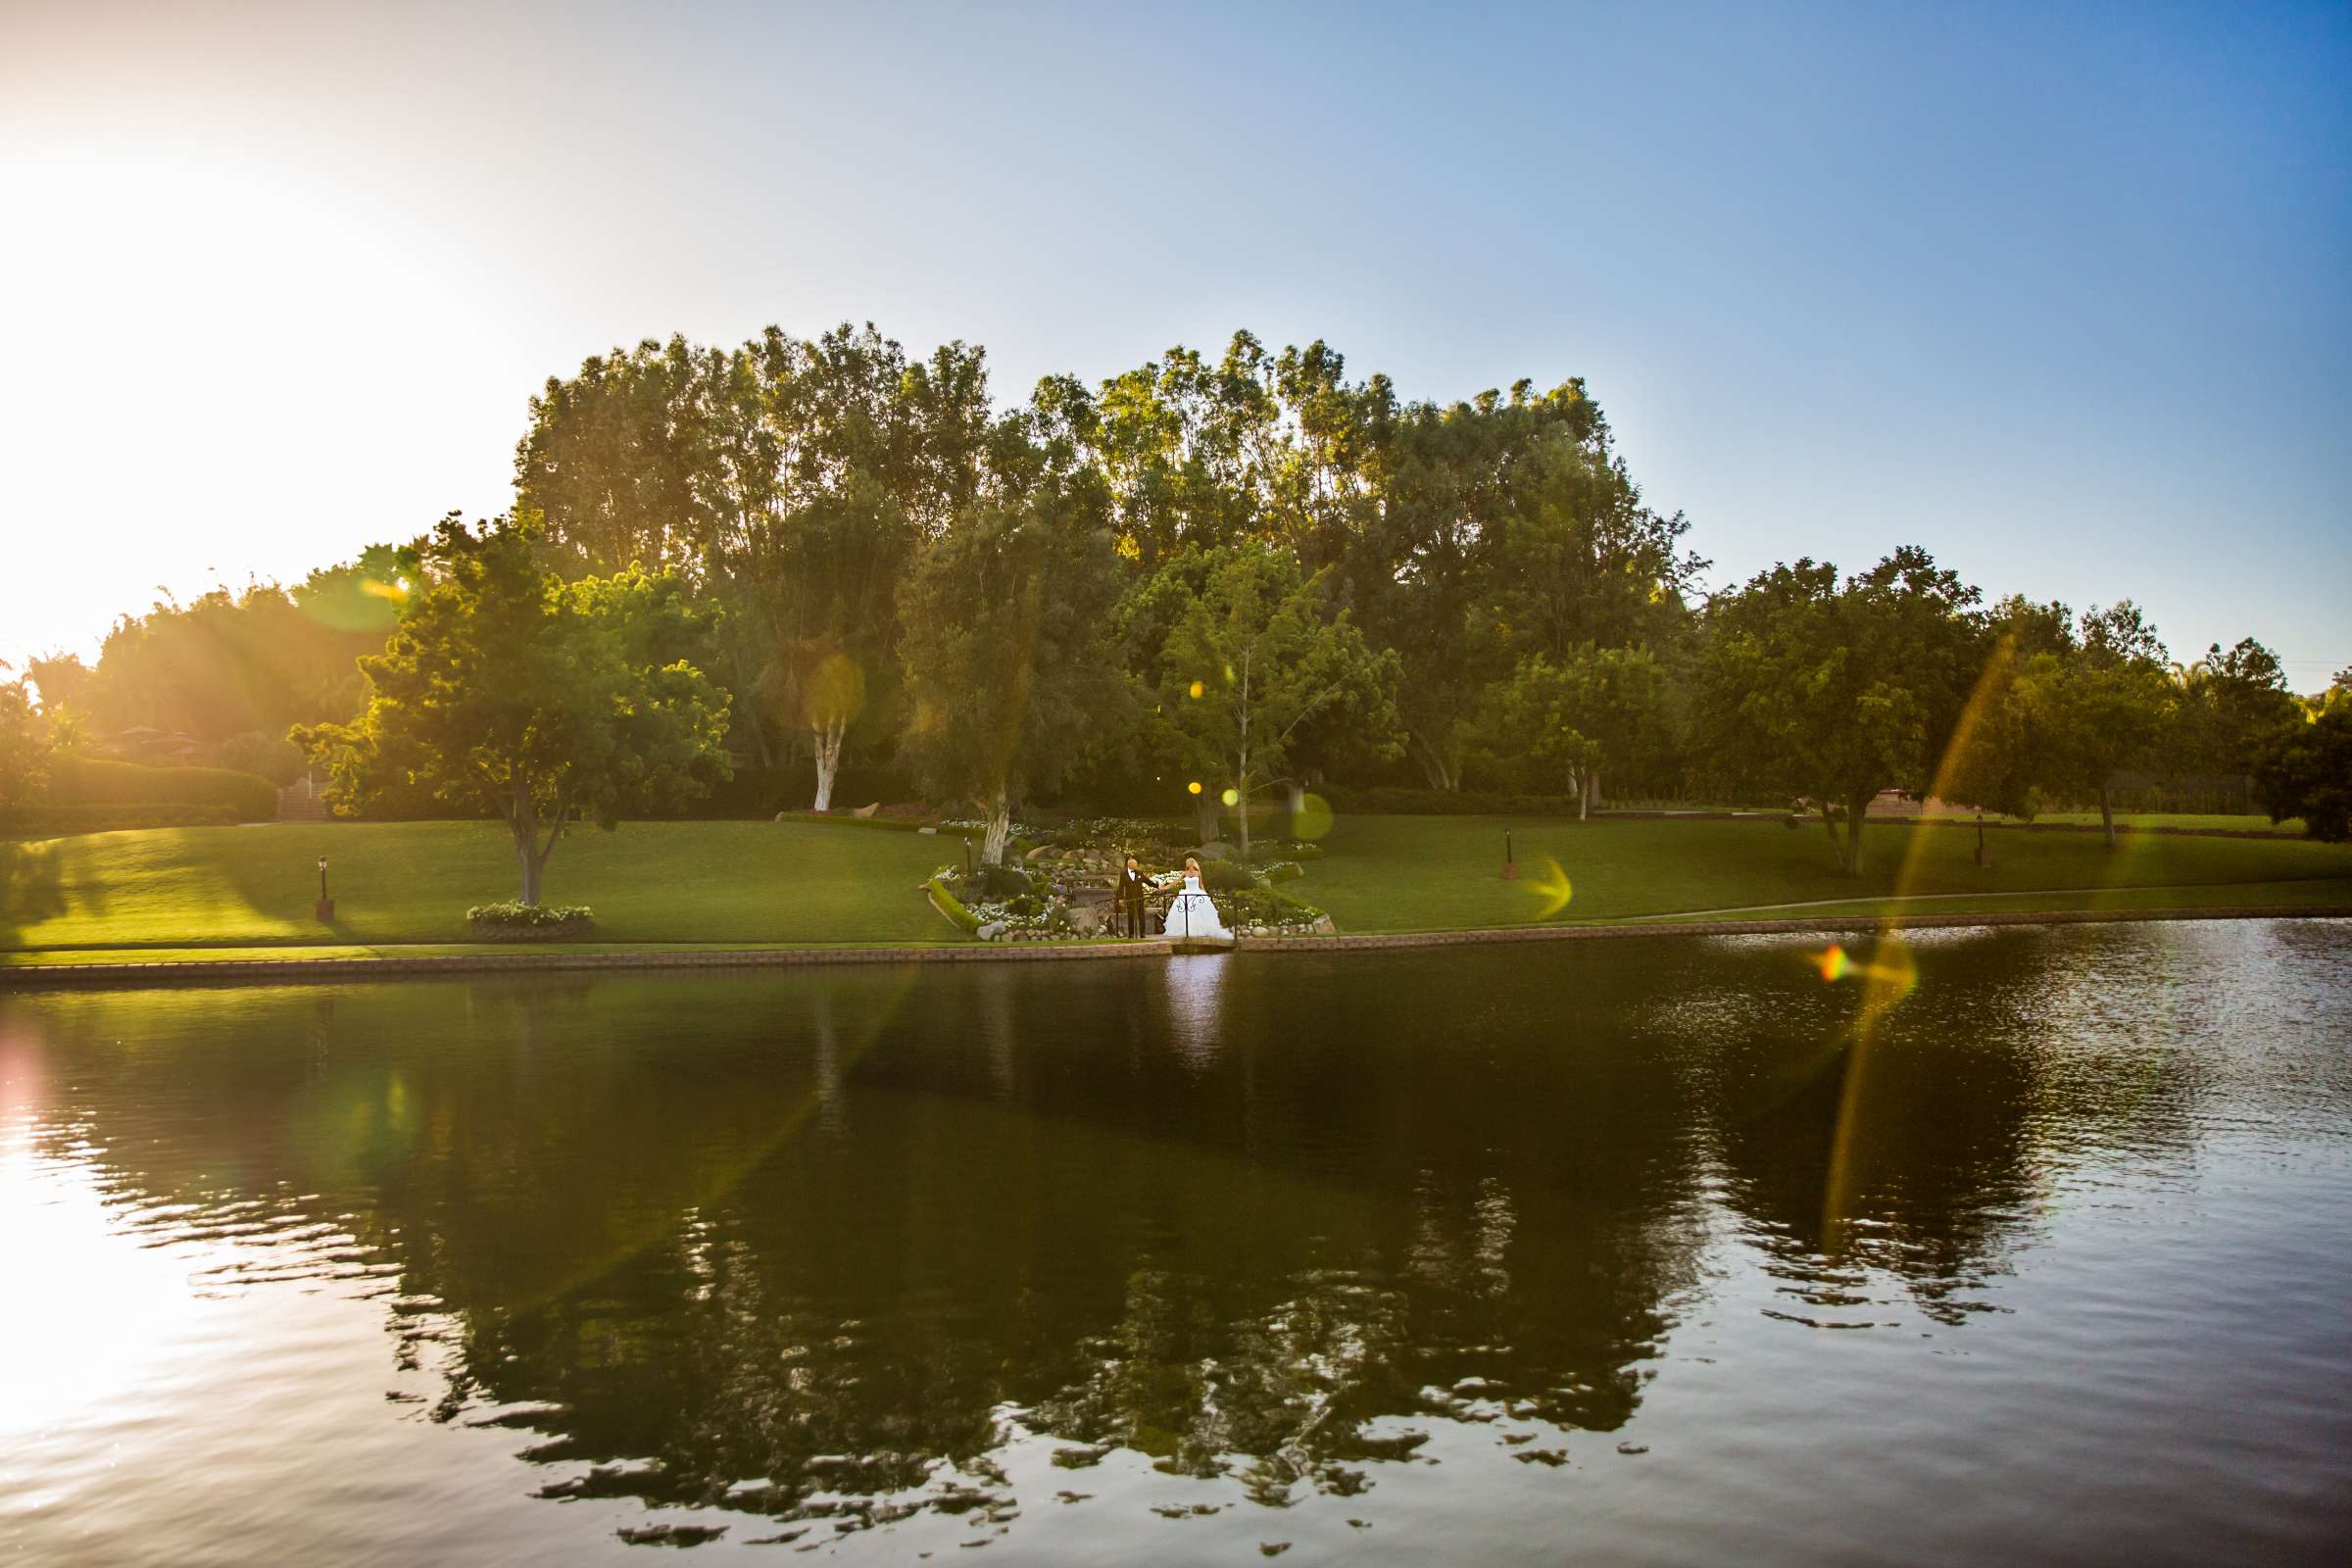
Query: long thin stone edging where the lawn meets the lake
x=286, y=972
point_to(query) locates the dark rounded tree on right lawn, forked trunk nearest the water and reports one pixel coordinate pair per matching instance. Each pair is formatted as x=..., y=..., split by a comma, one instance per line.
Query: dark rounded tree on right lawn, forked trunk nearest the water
x=1840, y=692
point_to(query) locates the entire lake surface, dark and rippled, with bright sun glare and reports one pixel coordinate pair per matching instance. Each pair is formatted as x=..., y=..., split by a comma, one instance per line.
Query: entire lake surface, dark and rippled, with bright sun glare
x=1622, y=1252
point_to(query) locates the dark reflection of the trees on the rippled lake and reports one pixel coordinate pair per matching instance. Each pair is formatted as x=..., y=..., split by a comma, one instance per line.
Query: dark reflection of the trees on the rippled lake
x=822, y=1254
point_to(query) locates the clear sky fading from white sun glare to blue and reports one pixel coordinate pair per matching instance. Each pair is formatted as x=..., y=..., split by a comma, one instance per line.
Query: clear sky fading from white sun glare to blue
x=2059, y=293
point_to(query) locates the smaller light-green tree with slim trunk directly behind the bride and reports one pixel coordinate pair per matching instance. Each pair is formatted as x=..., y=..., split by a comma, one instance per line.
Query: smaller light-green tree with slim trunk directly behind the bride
x=1255, y=664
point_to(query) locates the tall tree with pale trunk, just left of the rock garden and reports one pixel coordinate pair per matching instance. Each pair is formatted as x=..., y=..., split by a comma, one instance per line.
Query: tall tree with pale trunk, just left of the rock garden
x=1008, y=641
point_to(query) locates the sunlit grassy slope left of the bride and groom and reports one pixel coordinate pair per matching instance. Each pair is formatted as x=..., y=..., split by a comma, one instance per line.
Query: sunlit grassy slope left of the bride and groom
x=410, y=883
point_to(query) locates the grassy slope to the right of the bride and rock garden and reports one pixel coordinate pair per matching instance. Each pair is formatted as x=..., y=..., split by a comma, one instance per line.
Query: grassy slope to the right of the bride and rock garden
x=1424, y=873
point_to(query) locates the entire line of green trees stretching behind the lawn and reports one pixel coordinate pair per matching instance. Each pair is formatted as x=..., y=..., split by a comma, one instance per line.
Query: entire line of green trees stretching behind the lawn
x=1248, y=575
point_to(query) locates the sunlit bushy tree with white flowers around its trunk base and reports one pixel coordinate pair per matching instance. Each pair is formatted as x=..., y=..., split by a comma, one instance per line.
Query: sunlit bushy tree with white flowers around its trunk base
x=540, y=702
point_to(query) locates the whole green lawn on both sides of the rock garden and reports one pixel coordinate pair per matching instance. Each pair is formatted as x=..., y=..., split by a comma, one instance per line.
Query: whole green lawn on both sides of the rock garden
x=218, y=892
